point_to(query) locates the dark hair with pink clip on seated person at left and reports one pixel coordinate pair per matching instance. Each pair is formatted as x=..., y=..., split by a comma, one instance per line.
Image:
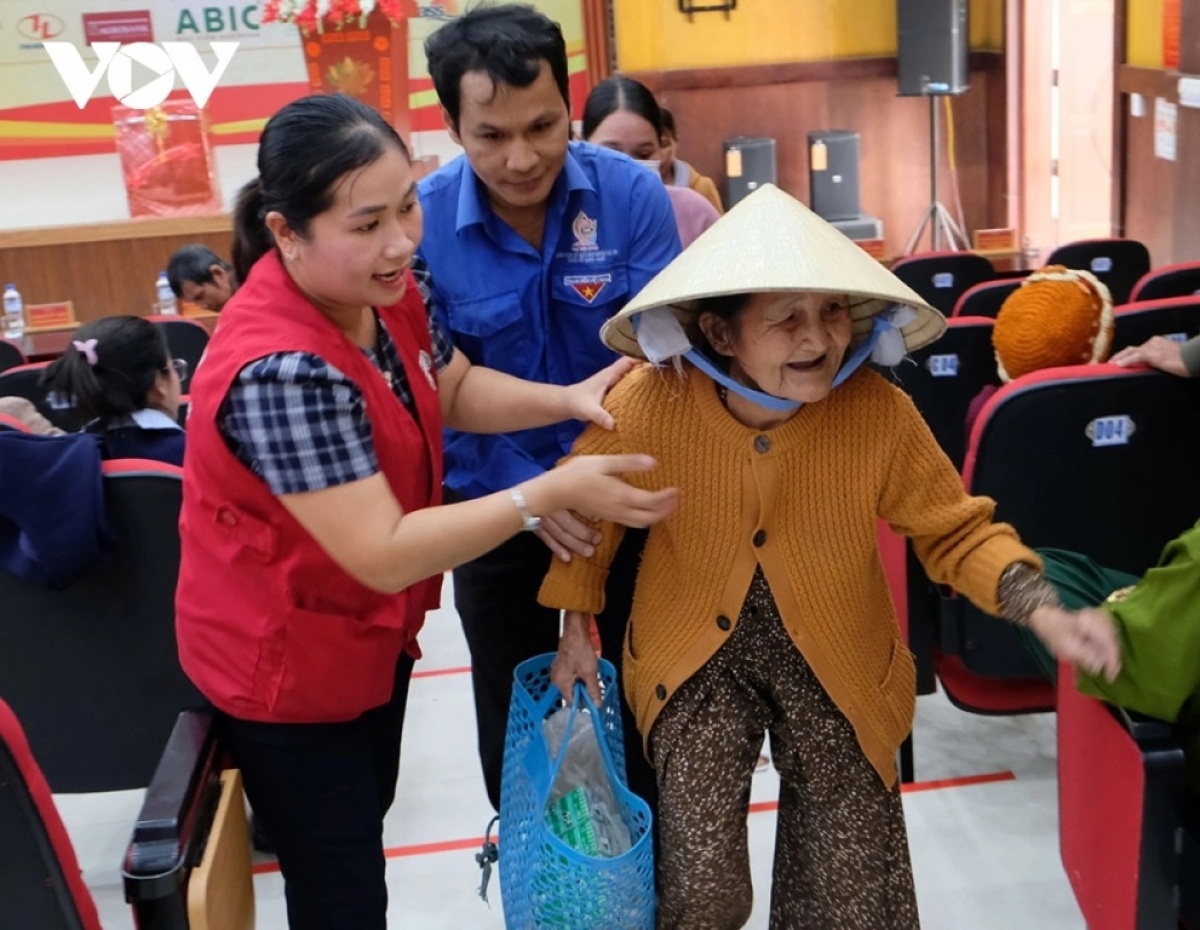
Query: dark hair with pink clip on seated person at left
x=110, y=368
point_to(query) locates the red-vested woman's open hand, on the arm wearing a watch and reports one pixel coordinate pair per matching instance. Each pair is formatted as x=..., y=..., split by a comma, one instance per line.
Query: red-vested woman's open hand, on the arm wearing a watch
x=591, y=485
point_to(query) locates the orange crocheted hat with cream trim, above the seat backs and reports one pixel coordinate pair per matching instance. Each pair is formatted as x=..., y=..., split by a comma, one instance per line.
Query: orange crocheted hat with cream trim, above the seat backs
x=1058, y=317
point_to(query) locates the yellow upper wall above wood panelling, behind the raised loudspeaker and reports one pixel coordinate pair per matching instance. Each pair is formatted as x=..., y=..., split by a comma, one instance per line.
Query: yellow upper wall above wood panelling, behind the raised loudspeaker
x=653, y=35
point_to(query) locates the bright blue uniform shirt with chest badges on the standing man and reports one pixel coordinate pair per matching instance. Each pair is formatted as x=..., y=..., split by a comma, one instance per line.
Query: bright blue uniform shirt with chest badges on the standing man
x=537, y=315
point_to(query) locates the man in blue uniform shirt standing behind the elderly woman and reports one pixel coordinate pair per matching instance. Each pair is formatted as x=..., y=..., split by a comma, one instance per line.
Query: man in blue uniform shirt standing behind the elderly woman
x=532, y=243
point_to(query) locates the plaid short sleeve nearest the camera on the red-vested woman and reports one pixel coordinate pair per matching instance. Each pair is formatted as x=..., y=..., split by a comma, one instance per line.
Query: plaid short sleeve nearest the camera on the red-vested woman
x=299, y=424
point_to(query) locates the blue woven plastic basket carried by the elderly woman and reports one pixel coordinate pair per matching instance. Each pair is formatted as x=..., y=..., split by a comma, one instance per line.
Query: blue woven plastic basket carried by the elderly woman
x=544, y=883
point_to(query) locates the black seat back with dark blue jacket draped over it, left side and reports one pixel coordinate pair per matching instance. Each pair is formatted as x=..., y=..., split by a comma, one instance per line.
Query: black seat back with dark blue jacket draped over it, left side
x=93, y=671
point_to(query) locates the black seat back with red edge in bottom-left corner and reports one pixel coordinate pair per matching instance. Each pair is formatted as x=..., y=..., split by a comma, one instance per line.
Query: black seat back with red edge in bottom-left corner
x=41, y=887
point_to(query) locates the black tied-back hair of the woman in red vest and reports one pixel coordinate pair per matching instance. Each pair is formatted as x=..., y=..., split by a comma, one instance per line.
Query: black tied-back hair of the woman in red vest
x=304, y=151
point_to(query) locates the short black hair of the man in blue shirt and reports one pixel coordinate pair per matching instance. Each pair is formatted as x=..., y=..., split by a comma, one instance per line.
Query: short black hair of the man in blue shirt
x=508, y=43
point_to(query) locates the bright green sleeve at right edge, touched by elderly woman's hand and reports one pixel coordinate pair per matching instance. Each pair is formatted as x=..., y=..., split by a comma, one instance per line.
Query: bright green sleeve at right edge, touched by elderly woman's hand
x=1159, y=625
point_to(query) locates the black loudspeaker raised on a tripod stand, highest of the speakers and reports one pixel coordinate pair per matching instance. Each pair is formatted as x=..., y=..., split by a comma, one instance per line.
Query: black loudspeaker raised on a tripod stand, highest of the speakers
x=933, y=47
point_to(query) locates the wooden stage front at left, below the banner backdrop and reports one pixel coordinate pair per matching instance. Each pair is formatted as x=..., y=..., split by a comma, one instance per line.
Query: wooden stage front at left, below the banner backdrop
x=106, y=269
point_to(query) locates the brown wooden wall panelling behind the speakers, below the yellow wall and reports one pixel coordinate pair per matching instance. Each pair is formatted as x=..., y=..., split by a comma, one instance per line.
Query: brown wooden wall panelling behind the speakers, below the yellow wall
x=789, y=101
